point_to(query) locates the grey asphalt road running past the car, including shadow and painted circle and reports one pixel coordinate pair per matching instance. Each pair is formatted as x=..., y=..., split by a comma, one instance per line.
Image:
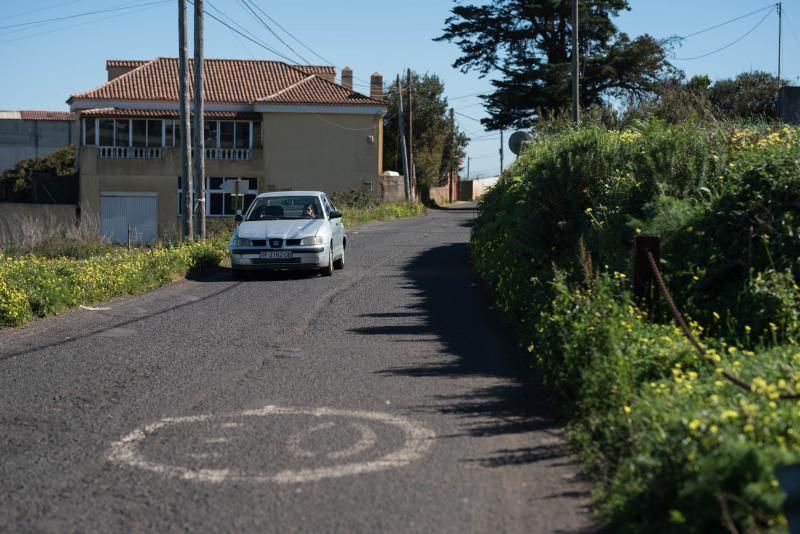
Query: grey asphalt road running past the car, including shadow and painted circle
x=382, y=399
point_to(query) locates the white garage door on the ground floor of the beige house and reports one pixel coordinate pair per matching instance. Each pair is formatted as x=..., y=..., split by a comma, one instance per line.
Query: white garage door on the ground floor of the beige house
x=117, y=211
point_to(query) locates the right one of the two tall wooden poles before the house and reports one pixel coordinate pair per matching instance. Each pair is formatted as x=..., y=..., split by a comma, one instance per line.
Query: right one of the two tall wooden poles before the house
x=199, y=129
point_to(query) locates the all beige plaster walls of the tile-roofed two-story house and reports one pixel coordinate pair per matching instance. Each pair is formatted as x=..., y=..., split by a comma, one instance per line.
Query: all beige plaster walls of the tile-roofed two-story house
x=328, y=152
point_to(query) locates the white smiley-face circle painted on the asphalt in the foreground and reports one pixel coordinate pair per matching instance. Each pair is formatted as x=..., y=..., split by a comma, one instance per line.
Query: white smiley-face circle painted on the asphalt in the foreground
x=418, y=440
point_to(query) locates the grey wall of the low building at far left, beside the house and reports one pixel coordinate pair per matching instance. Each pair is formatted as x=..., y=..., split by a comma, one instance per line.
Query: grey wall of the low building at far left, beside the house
x=25, y=139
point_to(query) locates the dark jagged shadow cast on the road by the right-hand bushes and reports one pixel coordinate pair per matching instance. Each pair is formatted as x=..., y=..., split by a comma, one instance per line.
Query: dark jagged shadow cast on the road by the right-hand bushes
x=454, y=311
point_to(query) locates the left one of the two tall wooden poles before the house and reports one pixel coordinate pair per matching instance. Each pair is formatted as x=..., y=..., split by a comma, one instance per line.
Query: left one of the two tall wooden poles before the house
x=184, y=127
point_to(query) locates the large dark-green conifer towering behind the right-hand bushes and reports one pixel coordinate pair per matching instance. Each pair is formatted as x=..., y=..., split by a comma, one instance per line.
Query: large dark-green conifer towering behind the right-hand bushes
x=528, y=42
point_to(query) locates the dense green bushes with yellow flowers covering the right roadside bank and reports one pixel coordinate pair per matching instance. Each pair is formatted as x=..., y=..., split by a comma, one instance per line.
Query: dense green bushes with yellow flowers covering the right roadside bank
x=672, y=445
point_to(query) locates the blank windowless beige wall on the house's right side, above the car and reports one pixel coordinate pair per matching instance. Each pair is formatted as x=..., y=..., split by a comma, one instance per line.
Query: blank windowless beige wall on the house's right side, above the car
x=328, y=152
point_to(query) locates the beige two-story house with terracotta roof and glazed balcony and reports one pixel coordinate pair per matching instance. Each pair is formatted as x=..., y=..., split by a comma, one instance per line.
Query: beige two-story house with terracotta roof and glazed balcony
x=280, y=126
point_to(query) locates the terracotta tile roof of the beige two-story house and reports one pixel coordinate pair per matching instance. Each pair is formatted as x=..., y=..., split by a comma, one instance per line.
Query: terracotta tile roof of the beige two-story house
x=228, y=81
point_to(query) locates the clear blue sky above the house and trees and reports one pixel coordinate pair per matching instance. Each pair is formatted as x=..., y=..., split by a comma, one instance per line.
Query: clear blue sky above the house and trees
x=42, y=64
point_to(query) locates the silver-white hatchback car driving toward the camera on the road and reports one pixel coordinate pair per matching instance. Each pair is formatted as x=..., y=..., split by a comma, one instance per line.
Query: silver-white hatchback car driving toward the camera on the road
x=289, y=230
